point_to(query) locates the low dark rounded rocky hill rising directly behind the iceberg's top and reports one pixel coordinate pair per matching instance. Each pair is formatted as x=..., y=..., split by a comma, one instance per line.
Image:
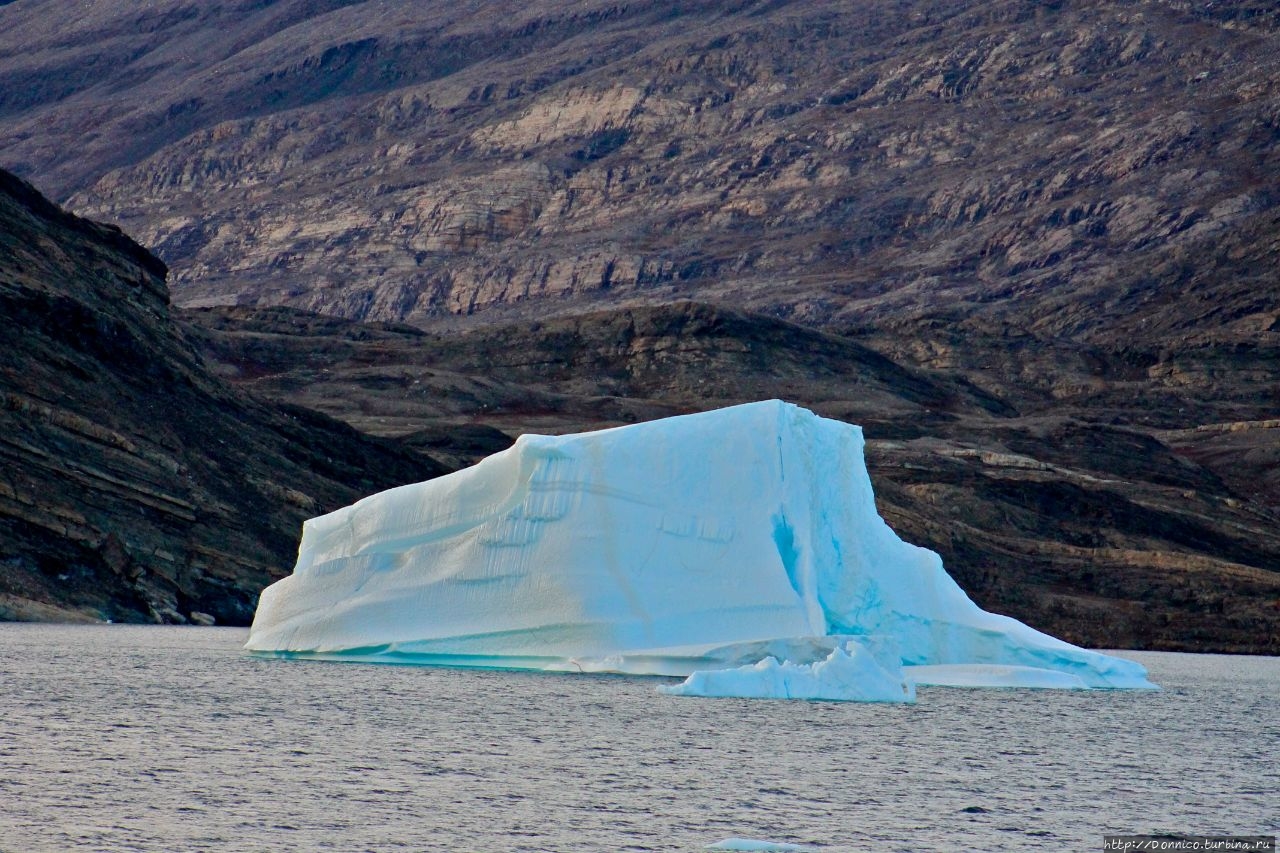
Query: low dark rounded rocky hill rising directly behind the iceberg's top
x=606, y=368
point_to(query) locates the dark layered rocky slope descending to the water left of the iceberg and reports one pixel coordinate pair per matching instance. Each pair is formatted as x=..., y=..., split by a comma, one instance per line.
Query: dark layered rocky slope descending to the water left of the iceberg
x=134, y=486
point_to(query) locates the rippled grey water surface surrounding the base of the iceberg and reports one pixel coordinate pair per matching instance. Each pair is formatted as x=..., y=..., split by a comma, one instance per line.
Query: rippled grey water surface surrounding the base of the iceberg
x=117, y=738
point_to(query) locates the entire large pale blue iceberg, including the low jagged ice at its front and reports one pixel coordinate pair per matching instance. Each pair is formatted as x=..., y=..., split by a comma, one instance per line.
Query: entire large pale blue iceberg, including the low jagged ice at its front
x=702, y=544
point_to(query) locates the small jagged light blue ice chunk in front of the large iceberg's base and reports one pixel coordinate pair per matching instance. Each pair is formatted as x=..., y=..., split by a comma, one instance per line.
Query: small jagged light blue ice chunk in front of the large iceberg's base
x=849, y=674
